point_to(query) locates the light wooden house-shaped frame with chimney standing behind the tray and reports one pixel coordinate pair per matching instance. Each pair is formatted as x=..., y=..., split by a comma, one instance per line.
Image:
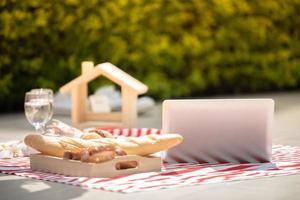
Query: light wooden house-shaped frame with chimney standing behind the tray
x=130, y=89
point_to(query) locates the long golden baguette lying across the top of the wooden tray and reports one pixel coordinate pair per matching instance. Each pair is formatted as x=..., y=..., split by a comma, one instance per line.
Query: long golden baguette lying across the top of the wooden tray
x=143, y=145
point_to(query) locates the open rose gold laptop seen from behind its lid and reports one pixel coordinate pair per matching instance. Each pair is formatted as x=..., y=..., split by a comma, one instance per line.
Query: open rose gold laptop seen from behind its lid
x=220, y=131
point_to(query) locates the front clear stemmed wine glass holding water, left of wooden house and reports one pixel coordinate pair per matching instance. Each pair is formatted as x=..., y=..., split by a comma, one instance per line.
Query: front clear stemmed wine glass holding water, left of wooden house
x=38, y=109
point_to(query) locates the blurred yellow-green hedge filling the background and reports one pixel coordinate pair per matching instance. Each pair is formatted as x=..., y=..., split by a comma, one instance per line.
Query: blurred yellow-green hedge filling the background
x=178, y=48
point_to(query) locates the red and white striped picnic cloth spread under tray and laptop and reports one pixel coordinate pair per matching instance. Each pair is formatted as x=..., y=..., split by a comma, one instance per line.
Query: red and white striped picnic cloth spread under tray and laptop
x=285, y=161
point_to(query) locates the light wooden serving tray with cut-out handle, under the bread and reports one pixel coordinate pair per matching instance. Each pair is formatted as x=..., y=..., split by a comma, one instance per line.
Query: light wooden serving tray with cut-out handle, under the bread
x=57, y=165
